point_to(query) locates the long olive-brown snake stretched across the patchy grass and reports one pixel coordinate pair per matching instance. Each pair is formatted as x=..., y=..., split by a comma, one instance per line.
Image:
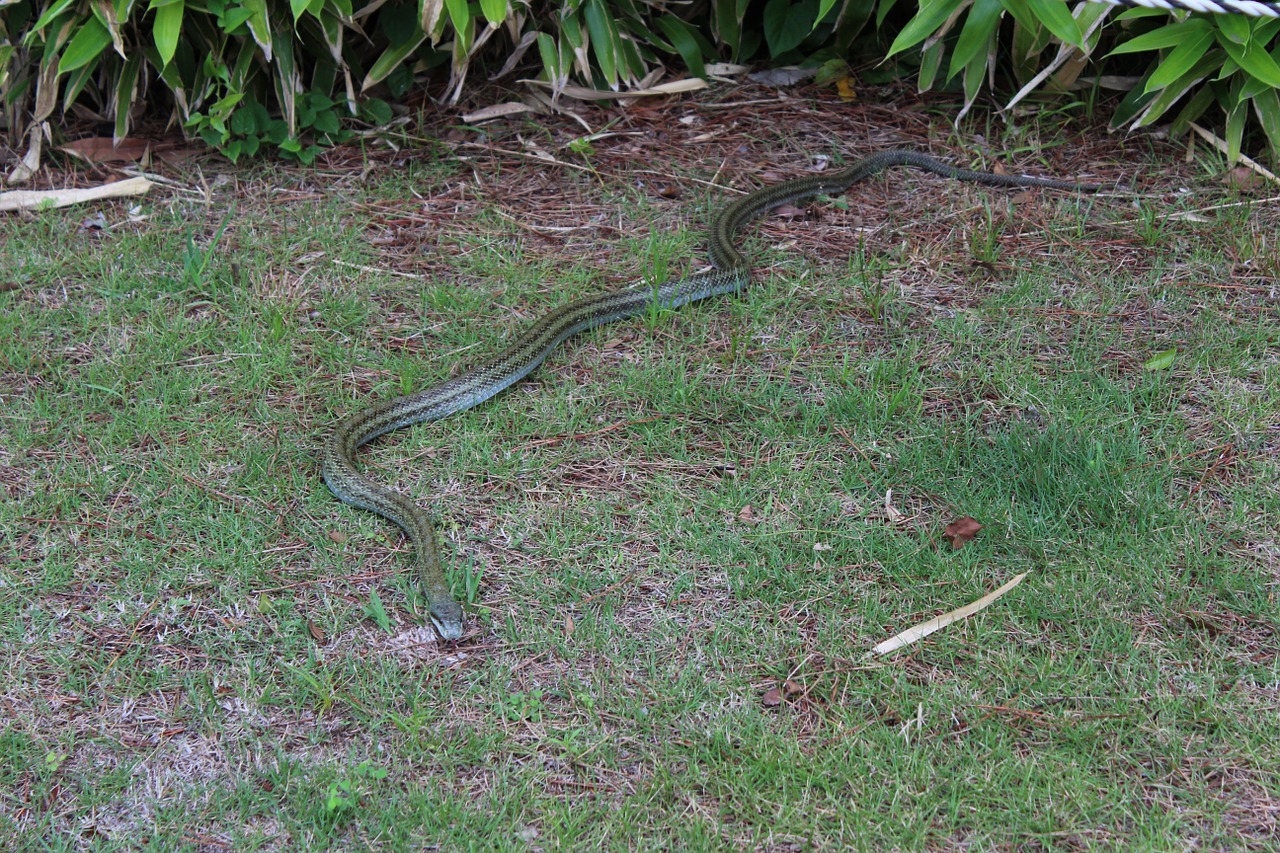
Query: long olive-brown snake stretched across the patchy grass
x=730, y=273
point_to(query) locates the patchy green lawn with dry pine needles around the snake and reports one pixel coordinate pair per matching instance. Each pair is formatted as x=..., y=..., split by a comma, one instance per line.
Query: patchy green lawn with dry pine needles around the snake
x=676, y=516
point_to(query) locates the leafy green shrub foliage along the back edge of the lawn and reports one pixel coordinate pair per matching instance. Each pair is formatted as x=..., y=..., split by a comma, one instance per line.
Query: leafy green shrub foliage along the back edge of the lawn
x=301, y=75
